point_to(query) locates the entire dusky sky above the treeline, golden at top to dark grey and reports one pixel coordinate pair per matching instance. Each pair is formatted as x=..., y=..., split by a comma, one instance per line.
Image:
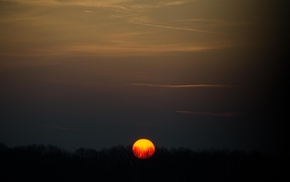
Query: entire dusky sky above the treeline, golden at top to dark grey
x=199, y=74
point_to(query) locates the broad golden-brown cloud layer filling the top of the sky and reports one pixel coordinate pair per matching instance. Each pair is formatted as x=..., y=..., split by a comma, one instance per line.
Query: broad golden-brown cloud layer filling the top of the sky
x=79, y=27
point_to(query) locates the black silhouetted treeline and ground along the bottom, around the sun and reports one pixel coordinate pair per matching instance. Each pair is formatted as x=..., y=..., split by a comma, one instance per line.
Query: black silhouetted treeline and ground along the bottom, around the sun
x=50, y=163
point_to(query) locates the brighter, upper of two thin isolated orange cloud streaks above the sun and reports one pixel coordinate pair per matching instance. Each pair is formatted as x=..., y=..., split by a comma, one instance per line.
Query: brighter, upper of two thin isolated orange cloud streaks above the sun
x=180, y=86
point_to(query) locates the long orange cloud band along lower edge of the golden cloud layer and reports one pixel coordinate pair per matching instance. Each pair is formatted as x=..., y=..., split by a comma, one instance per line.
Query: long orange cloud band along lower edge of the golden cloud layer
x=106, y=50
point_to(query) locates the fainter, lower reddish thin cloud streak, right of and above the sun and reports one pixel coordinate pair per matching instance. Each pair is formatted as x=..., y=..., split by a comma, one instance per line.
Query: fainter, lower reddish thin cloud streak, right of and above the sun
x=214, y=114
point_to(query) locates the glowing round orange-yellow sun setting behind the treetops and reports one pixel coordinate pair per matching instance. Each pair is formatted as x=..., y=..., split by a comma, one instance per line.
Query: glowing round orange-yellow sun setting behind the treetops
x=143, y=148
